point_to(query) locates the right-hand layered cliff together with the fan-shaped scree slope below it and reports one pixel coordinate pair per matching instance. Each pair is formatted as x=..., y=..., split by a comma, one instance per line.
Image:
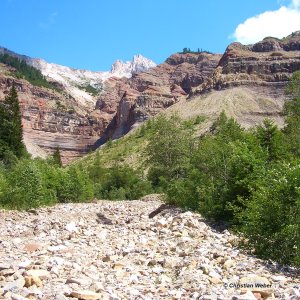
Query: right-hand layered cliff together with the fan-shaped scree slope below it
x=248, y=82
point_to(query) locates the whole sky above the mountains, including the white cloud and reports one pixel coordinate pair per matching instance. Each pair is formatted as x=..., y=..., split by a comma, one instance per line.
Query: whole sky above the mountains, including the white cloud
x=92, y=34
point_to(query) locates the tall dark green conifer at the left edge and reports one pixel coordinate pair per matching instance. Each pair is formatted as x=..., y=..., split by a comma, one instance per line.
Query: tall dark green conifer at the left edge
x=11, y=131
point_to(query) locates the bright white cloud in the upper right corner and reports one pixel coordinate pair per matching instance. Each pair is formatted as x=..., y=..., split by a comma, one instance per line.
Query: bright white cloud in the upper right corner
x=278, y=23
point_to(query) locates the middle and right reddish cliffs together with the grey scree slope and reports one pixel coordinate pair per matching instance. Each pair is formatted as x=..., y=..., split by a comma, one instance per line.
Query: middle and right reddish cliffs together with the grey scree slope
x=252, y=80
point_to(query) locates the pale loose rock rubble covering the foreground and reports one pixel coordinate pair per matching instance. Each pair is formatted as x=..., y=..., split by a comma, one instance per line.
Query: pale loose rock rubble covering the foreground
x=113, y=250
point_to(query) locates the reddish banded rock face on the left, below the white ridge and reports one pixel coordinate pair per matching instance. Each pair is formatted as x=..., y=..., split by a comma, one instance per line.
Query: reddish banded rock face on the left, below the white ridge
x=52, y=120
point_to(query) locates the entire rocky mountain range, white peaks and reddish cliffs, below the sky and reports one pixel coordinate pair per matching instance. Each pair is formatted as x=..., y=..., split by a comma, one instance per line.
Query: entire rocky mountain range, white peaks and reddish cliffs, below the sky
x=247, y=82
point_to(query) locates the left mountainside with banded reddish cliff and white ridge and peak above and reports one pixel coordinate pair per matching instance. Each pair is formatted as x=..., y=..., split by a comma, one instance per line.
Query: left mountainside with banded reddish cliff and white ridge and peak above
x=65, y=119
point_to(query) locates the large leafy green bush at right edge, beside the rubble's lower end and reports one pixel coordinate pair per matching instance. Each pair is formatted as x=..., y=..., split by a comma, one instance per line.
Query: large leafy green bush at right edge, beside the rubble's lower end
x=271, y=220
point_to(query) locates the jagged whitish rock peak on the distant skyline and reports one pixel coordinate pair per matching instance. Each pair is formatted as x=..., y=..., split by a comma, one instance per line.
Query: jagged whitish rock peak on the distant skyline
x=138, y=64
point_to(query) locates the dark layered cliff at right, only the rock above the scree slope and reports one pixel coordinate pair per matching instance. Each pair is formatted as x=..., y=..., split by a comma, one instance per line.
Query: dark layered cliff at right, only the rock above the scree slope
x=268, y=63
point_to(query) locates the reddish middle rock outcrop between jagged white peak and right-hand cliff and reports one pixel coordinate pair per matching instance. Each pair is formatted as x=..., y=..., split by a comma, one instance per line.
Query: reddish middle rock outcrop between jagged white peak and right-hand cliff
x=148, y=93
